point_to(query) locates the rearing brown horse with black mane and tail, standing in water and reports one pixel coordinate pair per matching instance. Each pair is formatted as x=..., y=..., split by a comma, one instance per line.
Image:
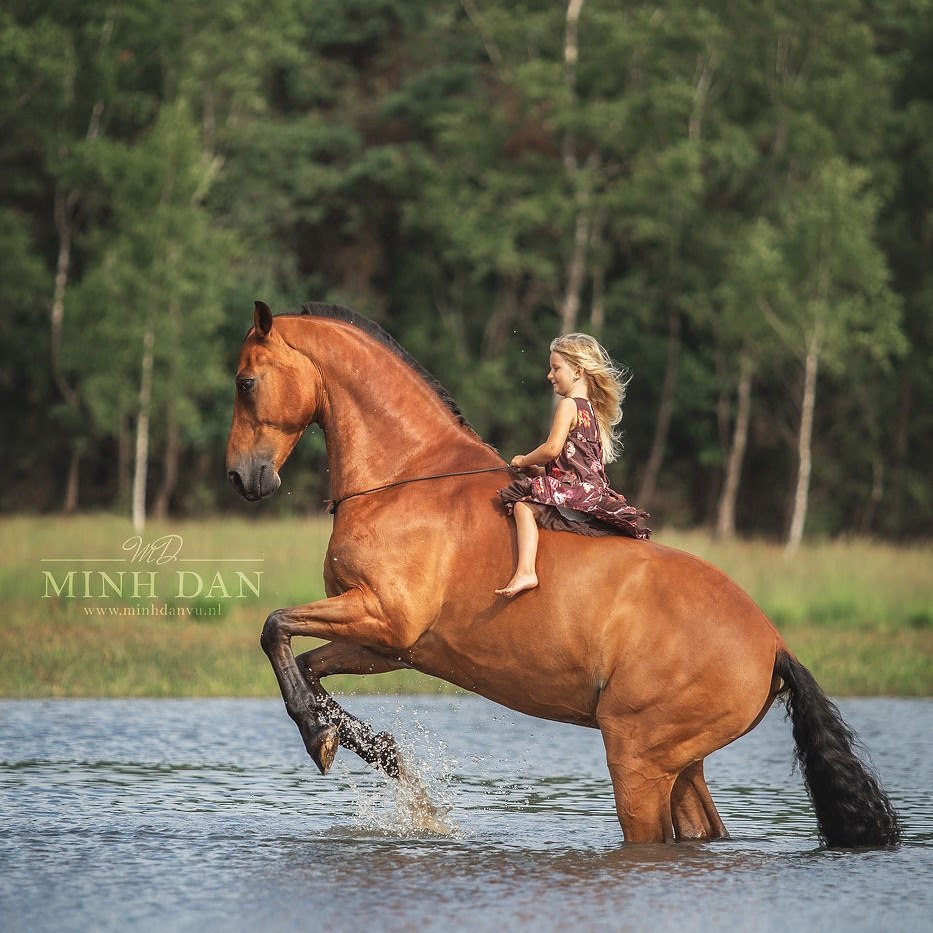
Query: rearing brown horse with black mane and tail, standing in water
x=661, y=652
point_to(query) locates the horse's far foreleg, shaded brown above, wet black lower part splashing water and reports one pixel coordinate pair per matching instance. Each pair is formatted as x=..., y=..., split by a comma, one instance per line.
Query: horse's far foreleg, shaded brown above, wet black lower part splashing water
x=378, y=749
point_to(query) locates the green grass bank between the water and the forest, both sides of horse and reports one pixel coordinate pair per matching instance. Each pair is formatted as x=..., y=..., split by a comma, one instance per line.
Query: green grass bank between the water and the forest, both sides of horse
x=184, y=617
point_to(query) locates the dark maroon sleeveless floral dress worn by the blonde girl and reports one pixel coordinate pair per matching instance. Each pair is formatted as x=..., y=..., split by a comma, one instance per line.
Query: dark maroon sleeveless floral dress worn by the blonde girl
x=575, y=489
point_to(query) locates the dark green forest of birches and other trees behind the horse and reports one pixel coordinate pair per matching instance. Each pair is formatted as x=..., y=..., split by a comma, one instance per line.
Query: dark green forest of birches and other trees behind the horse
x=734, y=197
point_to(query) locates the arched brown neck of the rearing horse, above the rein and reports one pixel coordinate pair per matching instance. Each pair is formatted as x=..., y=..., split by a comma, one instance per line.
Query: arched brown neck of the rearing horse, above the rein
x=382, y=422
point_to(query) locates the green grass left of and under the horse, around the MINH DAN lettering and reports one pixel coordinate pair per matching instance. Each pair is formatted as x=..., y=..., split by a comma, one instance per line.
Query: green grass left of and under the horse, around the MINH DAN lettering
x=52, y=647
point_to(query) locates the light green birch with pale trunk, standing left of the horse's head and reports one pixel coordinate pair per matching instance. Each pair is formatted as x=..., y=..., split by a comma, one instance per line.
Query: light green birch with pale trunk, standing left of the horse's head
x=153, y=296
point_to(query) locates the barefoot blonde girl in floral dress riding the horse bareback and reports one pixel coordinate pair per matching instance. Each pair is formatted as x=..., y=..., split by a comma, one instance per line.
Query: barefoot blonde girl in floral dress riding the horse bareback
x=566, y=487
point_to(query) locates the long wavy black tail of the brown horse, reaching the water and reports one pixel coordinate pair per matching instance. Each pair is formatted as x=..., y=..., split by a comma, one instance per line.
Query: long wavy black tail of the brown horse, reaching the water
x=851, y=808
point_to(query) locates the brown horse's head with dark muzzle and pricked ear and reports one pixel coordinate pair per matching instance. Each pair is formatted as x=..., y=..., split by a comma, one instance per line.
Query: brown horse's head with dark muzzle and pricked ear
x=278, y=393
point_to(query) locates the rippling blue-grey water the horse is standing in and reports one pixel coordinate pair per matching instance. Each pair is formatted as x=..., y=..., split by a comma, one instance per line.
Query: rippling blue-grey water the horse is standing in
x=207, y=815
